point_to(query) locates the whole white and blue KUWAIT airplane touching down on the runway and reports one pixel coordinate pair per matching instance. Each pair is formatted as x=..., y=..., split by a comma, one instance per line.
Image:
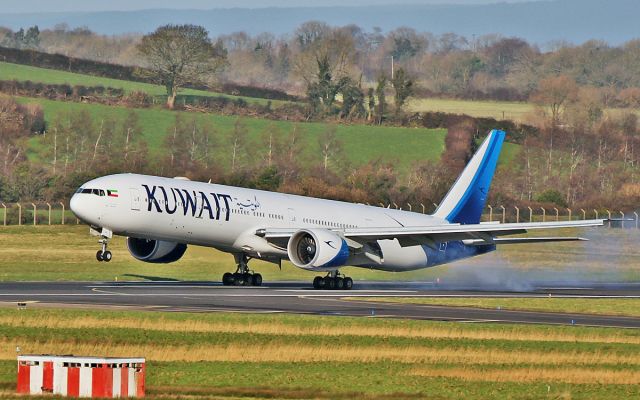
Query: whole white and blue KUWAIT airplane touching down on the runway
x=162, y=216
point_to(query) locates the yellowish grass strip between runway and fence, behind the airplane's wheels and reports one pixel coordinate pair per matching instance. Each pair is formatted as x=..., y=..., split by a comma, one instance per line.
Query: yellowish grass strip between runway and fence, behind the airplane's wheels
x=68, y=253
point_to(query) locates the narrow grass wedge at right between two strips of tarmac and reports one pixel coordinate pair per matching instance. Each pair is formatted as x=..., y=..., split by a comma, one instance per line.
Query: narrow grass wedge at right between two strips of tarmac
x=609, y=306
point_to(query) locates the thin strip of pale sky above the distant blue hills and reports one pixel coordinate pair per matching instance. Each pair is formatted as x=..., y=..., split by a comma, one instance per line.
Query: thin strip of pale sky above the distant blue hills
x=31, y=6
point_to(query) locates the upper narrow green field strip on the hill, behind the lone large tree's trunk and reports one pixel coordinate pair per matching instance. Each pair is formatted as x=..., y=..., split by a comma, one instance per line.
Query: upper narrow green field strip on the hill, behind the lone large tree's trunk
x=19, y=72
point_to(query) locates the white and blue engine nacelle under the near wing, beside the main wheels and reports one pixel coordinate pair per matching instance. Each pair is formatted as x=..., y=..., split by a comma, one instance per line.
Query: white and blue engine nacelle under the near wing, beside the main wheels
x=317, y=249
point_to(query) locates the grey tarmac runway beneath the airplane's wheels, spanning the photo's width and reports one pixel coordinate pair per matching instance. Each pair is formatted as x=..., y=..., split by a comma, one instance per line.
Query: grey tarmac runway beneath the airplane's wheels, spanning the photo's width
x=299, y=298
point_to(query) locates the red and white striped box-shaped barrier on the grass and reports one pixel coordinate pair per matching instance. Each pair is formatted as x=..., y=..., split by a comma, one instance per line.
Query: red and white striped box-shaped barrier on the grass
x=81, y=376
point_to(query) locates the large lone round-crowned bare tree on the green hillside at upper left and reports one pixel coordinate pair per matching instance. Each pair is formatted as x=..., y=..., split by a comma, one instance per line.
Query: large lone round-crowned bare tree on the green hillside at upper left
x=180, y=54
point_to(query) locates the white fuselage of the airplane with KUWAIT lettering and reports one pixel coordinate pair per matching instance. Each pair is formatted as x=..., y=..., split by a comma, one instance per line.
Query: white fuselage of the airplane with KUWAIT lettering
x=227, y=218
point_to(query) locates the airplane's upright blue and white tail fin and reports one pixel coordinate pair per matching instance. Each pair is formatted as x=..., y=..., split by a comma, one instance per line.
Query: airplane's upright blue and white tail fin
x=467, y=197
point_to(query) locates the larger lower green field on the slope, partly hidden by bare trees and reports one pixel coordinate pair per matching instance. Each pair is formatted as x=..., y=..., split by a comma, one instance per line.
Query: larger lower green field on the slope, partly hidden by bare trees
x=361, y=143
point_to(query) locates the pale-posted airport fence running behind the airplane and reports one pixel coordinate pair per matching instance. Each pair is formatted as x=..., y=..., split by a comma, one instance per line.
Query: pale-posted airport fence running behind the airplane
x=58, y=213
